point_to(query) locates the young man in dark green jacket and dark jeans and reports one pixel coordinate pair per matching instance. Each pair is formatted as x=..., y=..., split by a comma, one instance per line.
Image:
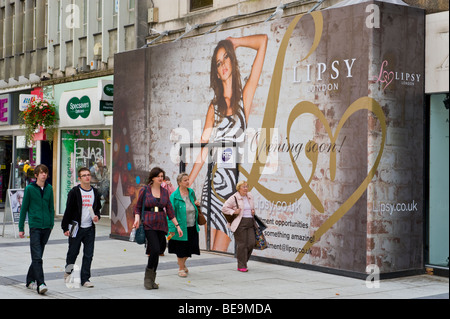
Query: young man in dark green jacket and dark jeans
x=38, y=204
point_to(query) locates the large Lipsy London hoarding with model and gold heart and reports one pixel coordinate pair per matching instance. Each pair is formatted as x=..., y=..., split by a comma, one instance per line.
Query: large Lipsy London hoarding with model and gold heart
x=325, y=112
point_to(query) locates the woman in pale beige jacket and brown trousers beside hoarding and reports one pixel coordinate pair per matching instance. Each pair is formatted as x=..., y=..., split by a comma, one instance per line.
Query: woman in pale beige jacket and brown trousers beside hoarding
x=242, y=205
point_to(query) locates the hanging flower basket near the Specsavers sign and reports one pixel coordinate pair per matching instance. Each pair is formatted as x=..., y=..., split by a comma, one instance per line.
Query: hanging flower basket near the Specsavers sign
x=39, y=113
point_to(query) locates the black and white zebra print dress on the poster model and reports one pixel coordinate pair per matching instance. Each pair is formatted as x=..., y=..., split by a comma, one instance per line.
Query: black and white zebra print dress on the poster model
x=227, y=129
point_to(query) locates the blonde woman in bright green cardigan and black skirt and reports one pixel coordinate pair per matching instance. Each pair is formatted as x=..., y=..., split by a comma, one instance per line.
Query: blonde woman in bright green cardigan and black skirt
x=184, y=204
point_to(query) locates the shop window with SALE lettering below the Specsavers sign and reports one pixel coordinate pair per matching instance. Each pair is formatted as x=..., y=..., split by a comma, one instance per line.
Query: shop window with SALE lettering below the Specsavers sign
x=85, y=148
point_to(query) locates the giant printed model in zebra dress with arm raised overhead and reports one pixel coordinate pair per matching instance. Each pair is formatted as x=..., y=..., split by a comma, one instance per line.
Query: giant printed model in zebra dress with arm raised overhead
x=226, y=121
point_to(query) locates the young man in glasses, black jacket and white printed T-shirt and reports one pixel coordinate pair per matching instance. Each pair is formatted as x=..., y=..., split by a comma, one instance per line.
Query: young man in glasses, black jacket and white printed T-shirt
x=82, y=211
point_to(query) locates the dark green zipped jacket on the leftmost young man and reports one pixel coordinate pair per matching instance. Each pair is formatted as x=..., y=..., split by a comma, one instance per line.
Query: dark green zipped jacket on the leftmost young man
x=39, y=206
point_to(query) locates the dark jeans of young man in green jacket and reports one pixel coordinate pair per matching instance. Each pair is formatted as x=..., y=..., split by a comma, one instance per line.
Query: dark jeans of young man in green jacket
x=38, y=240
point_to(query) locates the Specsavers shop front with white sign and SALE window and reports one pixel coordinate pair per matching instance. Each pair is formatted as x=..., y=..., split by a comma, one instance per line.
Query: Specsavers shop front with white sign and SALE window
x=84, y=139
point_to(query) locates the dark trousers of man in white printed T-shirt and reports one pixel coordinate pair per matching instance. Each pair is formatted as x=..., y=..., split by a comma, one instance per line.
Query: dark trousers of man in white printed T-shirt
x=87, y=237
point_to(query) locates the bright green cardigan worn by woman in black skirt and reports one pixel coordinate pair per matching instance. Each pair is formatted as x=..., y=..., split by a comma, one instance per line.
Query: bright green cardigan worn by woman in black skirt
x=179, y=206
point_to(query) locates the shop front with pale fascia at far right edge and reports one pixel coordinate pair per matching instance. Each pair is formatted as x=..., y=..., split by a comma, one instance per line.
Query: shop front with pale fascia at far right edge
x=437, y=150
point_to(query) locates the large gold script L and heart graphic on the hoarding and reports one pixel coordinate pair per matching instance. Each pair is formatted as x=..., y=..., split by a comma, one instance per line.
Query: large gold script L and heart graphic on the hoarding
x=304, y=107
